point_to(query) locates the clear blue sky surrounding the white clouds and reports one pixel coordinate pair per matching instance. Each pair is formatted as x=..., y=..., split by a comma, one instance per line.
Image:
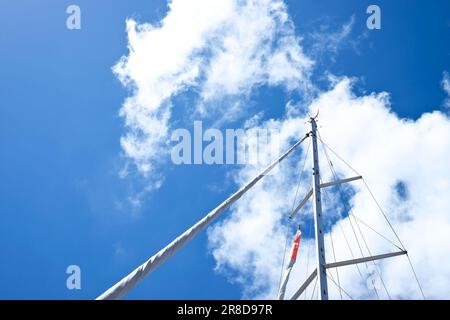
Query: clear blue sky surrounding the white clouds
x=62, y=201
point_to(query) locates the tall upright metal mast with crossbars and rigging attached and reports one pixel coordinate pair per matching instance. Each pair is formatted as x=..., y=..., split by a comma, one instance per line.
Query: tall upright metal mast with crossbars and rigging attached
x=318, y=224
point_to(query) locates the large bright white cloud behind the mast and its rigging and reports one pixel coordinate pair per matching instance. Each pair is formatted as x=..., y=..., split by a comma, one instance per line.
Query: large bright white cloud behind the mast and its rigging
x=386, y=150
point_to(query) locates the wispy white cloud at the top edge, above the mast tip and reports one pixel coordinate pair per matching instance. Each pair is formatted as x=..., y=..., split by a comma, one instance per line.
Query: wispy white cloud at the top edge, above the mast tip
x=218, y=48
